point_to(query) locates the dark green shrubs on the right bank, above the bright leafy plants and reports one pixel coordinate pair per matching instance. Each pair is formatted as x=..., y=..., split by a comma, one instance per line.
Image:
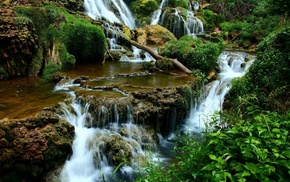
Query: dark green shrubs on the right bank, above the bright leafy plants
x=267, y=82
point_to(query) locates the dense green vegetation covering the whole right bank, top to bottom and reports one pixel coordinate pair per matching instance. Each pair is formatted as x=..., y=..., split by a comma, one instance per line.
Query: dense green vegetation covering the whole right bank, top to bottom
x=255, y=144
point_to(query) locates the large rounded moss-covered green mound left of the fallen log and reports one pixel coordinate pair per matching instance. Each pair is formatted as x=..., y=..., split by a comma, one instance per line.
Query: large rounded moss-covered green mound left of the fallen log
x=63, y=34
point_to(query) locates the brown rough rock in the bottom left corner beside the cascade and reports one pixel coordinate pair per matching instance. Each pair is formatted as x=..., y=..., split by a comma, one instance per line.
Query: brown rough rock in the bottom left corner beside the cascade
x=30, y=147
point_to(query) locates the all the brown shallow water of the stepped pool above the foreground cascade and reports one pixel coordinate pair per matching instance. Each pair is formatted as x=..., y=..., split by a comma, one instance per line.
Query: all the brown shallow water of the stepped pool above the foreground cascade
x=23, y=97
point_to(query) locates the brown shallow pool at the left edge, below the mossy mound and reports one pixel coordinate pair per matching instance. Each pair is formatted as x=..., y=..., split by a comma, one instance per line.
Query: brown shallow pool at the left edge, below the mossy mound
x=23, y=97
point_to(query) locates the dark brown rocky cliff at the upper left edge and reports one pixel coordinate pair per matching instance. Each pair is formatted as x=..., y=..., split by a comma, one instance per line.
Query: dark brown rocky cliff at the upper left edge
x=18, y=43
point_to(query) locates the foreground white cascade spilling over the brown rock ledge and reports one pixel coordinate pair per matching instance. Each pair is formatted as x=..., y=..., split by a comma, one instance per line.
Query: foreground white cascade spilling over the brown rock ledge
x=104, y=142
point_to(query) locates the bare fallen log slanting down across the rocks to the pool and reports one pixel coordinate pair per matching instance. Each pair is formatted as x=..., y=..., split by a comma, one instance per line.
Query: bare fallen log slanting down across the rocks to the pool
x=156, y=56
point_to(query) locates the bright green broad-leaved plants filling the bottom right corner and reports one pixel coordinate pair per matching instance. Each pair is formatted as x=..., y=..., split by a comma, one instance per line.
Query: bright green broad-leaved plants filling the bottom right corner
x=253, y=149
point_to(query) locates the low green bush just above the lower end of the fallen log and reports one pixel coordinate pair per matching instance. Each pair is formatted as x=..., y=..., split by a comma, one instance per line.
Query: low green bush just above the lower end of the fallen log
x=194, y=53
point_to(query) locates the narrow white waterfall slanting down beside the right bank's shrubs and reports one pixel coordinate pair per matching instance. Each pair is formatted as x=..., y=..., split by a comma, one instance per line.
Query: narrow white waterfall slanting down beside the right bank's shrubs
x=231, y=66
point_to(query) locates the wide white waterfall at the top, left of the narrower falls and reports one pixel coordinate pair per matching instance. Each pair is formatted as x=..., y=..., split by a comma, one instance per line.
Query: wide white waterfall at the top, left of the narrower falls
x=113, y=11
